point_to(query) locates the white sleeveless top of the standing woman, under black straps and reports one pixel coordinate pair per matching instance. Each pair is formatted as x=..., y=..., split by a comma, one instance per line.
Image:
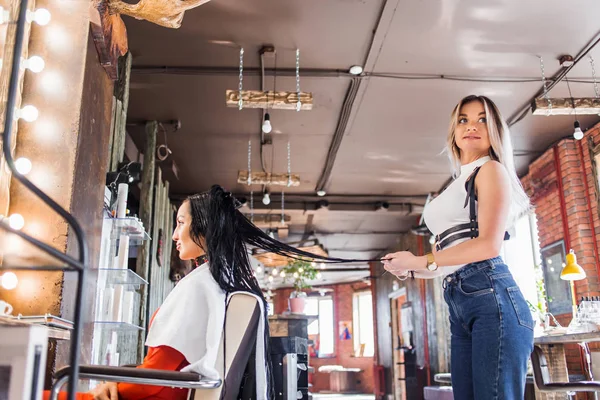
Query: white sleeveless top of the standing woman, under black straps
x=448, y=210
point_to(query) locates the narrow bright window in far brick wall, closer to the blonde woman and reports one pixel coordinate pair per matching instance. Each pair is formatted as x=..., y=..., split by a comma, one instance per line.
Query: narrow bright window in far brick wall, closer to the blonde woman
x=364, y=341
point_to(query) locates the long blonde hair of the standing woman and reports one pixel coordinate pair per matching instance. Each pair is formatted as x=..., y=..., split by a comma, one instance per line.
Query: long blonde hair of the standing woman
x=500, y=150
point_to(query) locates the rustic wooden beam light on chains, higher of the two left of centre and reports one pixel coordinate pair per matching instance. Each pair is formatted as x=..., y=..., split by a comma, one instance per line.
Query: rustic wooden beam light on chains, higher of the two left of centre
x=270, y=99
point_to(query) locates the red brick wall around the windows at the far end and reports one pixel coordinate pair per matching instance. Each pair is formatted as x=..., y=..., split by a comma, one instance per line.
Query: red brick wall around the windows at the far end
x=344, y=349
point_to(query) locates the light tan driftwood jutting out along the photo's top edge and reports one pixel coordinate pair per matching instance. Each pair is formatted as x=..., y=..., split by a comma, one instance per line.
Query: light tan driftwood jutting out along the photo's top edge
x=167, y=13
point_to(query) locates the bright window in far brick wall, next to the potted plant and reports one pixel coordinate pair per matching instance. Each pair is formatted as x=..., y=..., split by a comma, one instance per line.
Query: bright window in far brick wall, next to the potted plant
x=321, y=330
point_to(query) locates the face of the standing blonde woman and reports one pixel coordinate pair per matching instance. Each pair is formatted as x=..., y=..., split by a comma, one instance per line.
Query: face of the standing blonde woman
x=471, y=132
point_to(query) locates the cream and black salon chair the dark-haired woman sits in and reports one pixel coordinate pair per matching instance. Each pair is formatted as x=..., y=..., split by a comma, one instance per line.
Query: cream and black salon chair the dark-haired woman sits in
x=243, y=314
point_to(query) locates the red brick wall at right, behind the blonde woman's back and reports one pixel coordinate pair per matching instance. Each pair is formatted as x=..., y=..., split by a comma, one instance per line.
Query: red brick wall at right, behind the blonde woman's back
x=567, y=166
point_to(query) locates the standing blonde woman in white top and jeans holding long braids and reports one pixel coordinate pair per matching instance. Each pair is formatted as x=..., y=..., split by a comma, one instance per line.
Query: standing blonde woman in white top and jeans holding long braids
x=491, y=325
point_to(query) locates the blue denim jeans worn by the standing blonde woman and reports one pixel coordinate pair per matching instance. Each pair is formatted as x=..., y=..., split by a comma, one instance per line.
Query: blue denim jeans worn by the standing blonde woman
x=492, y=332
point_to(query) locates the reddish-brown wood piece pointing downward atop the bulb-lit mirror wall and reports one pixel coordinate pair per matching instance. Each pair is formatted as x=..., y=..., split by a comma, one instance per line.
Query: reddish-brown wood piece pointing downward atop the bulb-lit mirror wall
x=110, y=36
